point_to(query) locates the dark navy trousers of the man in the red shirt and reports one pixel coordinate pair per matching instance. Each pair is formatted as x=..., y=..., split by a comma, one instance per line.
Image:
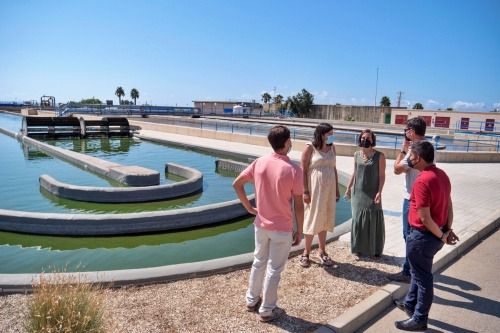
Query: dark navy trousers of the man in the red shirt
x=421, y=246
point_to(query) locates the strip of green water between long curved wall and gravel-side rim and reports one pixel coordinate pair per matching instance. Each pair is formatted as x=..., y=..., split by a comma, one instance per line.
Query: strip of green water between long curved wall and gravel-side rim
x=44, y=253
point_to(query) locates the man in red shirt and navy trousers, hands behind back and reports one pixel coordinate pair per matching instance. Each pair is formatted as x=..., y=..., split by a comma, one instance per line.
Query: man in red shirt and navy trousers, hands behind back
x=430, y=219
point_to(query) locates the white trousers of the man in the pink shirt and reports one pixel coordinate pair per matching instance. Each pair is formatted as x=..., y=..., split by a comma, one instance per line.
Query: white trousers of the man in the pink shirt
x=271, y=251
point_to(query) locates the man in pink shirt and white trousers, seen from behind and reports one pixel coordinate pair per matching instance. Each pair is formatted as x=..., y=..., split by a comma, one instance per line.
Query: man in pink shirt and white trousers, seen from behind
x=277, y=181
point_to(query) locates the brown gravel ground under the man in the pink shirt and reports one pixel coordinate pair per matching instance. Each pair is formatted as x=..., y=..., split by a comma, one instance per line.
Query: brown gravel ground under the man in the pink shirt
x=311, y=296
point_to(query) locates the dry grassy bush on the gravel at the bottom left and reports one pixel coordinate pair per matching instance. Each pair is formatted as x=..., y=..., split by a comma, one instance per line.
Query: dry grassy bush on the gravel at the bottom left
x=62, y=304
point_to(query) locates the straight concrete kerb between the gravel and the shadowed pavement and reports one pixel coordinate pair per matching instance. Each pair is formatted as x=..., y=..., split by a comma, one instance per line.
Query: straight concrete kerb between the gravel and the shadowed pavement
x=382, y=298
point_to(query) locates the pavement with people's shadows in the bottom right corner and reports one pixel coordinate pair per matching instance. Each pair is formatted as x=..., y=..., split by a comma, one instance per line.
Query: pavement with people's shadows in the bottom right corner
x=466, y=295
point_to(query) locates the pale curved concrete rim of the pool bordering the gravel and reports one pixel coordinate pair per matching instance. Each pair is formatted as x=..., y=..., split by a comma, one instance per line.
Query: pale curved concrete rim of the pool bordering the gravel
x=22, y=283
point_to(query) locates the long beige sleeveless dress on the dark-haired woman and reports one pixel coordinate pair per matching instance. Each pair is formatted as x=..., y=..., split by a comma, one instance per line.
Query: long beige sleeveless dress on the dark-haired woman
x=319, y=215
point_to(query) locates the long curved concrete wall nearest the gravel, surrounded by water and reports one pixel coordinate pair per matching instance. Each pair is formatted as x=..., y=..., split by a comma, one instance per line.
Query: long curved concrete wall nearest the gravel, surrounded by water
x=119, y=224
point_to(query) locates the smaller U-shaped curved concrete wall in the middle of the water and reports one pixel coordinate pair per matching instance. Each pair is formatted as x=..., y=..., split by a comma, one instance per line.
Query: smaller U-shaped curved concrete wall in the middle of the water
x=193, y=184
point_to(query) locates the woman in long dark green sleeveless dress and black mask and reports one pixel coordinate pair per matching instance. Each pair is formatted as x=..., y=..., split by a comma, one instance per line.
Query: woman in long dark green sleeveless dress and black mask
x=367, y=182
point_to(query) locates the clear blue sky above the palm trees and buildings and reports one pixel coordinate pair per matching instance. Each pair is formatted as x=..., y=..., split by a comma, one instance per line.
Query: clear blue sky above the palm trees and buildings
x=440, y=53
